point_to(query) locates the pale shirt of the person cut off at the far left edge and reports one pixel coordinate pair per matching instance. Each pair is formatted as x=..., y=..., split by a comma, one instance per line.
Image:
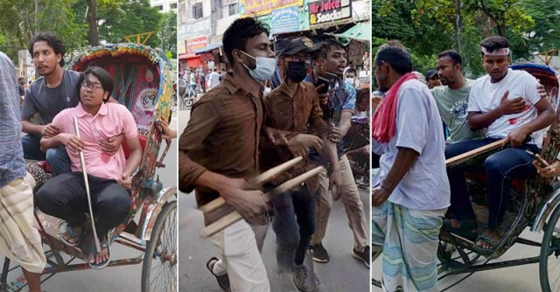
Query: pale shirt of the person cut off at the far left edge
x=12, y=165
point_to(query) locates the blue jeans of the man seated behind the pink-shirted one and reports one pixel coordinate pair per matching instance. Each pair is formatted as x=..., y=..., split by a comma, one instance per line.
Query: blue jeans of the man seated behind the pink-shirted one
x=57, y=157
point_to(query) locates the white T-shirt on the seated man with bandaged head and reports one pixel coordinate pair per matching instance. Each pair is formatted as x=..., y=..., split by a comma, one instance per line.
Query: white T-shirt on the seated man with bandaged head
x=485, y=96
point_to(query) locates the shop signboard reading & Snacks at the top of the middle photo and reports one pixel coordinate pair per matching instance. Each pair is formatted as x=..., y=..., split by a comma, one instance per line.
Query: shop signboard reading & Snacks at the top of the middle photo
x=324, y=11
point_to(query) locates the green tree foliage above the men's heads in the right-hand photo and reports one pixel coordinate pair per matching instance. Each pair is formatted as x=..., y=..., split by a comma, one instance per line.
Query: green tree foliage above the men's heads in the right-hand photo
x=428, y=27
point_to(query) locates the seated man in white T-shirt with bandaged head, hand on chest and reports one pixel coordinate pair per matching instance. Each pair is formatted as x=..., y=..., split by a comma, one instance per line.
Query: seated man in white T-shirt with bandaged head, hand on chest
x=508, y=104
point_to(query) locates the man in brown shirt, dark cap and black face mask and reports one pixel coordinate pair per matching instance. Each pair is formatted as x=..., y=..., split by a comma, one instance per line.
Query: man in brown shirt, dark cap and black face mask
x=294, y=107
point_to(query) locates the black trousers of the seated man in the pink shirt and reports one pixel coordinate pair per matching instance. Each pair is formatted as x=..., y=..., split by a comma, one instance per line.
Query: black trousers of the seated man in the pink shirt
x=64, y=197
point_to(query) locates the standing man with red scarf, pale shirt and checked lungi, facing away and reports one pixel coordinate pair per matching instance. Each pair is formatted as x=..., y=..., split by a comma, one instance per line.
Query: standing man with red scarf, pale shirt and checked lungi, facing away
x=412, y=194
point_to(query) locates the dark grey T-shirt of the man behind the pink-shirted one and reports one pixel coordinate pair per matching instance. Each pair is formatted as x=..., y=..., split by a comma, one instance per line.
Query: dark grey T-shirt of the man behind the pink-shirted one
x=48, y=102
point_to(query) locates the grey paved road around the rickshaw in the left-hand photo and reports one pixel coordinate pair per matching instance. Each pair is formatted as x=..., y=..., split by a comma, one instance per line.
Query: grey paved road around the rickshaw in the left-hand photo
x=126, y=278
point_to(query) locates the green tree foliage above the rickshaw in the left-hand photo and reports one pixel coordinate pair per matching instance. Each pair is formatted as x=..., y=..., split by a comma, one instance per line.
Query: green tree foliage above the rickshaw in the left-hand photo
x=114, y=19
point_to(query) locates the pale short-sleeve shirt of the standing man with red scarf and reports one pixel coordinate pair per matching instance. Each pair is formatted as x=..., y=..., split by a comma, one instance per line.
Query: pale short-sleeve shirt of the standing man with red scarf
x=418, y=127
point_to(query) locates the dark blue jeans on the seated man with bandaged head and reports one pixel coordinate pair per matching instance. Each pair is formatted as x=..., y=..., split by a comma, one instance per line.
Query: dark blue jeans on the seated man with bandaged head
x=500, y=167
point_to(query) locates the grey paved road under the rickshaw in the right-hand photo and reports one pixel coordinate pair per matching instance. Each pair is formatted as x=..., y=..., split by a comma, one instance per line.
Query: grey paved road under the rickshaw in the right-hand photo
x=522, y=278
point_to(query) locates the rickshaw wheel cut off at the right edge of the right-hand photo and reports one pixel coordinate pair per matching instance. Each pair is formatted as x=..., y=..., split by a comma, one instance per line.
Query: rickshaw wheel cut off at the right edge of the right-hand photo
x=549, y=262
